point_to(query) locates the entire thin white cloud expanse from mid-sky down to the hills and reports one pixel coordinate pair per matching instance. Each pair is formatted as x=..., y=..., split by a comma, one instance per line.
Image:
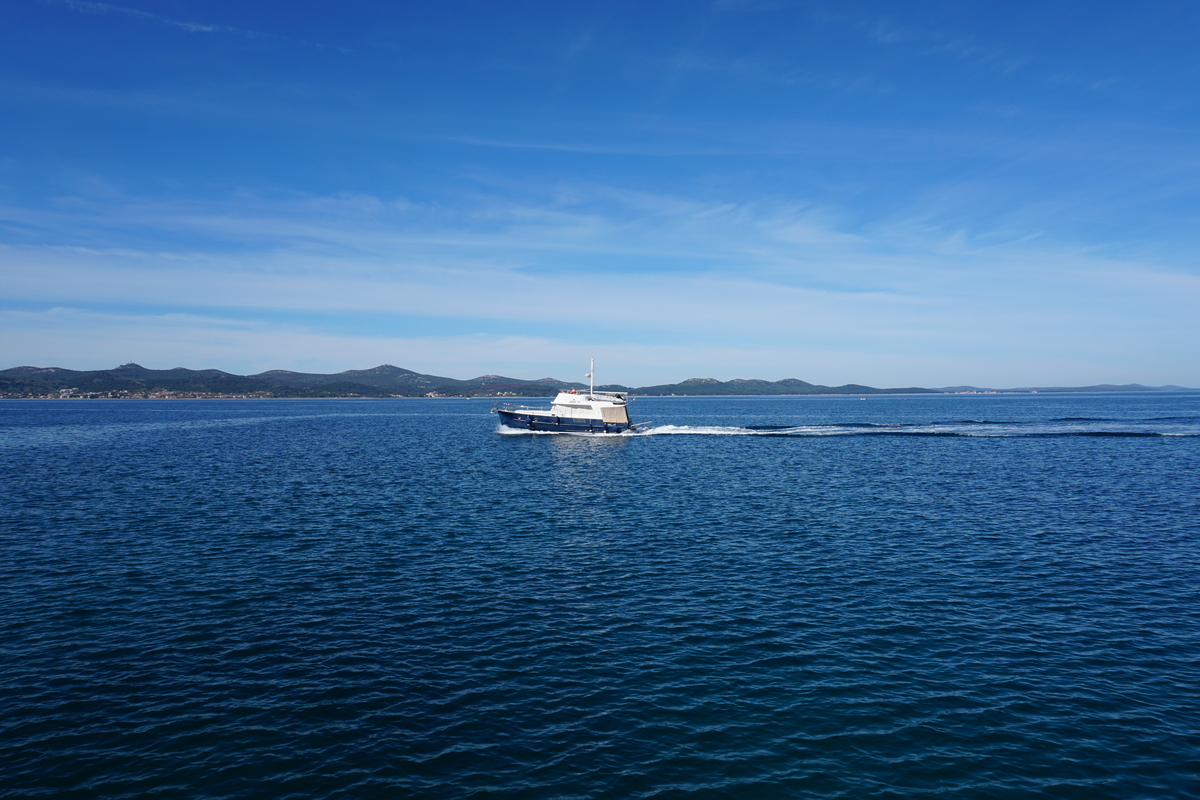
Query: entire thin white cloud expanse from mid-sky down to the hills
x=529, y=286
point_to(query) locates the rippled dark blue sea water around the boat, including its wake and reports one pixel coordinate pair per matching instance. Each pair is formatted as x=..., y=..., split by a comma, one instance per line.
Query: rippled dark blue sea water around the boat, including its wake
x=923, y=597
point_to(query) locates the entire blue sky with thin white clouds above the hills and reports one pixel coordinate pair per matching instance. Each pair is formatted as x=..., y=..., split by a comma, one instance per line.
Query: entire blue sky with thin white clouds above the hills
x=887, y=194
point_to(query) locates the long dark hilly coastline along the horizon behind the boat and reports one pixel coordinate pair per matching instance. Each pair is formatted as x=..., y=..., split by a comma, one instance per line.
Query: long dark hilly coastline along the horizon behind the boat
x=131, y=381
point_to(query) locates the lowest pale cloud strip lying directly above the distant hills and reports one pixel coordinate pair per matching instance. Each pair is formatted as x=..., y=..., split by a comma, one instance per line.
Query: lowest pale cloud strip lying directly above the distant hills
x=87, y=340
